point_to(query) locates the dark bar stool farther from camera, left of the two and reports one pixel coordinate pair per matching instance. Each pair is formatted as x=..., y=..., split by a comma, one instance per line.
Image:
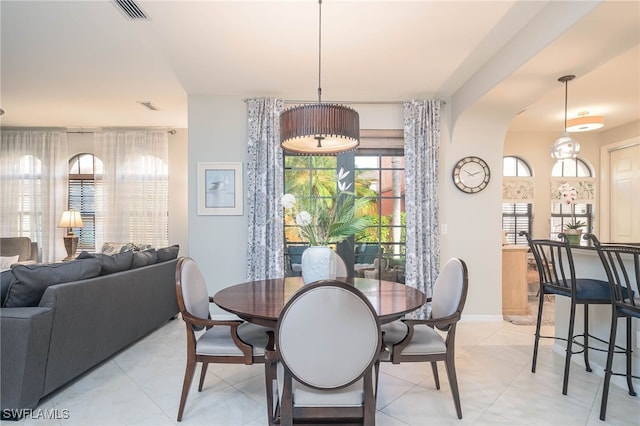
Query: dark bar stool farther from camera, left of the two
x=558, y=277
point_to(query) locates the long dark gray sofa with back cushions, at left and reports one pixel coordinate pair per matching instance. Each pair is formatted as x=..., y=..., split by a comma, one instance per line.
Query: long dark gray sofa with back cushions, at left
x=75, y=315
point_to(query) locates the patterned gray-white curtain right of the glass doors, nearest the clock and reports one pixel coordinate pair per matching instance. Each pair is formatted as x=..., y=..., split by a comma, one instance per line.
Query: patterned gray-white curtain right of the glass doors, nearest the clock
x=421, y=152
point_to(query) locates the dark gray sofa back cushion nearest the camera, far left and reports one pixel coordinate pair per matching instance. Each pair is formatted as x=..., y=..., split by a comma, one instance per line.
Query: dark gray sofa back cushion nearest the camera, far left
x=33, y=280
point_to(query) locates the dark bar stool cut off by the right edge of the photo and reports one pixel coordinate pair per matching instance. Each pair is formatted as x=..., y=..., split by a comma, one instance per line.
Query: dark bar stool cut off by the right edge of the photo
x=624, y=288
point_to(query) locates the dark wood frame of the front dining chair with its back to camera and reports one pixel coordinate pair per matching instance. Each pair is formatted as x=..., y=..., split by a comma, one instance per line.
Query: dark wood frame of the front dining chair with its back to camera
x=285, y=413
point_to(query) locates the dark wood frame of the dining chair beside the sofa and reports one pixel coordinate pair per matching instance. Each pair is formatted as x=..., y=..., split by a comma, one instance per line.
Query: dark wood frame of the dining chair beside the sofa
x=194, y=324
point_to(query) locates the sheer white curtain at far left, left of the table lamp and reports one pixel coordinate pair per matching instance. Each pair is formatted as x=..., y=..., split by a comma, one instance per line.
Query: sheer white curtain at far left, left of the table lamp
x=34, y=168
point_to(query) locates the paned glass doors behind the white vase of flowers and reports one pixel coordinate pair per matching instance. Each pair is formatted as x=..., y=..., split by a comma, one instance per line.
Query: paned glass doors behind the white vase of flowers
x=379, y=174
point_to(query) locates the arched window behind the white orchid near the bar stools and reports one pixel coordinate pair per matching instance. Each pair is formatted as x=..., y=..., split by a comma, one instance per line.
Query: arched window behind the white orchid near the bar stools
x=561, y=214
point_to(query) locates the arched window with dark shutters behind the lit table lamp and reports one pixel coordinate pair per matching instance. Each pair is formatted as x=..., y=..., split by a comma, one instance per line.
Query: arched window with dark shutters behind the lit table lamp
x=85, y=192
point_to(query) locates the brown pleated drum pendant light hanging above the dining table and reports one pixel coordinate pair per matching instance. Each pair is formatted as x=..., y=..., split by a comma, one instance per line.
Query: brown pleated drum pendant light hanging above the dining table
x=319, y=129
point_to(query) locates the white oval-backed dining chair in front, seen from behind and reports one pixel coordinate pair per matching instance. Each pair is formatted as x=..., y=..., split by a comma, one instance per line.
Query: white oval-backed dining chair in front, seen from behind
x=328, y=340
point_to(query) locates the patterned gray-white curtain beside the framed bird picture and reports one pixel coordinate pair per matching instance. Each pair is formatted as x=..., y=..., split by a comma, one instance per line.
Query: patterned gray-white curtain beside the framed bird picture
x=265, y=186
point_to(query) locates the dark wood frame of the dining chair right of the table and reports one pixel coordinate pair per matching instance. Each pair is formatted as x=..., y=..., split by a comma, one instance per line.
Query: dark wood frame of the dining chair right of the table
x=447, y=324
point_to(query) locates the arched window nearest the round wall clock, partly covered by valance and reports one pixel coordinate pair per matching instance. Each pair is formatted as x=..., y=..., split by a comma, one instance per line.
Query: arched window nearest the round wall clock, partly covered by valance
x=516, y=217
